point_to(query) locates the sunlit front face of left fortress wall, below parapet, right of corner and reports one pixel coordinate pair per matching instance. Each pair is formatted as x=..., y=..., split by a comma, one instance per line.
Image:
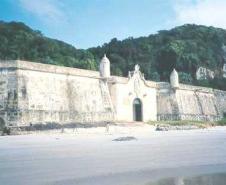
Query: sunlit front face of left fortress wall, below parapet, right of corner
x=61, y=98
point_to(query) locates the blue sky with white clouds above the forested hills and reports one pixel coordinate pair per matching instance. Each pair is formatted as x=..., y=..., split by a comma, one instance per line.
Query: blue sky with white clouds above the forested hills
x=88, y=23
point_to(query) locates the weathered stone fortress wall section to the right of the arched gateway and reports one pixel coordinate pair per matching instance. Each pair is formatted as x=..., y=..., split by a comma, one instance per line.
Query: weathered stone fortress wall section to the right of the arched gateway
x=188, y=103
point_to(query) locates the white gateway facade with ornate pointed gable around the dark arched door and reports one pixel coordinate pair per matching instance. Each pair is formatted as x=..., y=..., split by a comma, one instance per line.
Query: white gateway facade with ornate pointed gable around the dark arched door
x=124, y=92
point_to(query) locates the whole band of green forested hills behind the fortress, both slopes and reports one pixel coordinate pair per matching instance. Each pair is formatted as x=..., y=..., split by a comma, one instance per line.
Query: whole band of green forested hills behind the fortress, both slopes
x=185, y=48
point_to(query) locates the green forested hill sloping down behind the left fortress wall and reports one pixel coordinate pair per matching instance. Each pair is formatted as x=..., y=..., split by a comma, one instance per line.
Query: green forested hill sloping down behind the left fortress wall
x=18, y=41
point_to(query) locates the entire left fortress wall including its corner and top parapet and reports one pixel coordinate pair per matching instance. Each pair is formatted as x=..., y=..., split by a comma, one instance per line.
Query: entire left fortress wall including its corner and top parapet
x=39, y=93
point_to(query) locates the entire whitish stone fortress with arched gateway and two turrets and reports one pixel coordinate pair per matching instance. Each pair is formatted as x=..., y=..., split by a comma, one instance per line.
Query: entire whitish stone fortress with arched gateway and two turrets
x=33, y=93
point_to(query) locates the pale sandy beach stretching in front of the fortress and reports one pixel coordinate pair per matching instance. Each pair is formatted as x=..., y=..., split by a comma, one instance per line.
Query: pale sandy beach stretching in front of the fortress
x=95, y=156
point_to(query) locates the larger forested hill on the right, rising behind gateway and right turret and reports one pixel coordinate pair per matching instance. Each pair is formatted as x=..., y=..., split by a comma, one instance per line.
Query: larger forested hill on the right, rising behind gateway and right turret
x=184, y=48
